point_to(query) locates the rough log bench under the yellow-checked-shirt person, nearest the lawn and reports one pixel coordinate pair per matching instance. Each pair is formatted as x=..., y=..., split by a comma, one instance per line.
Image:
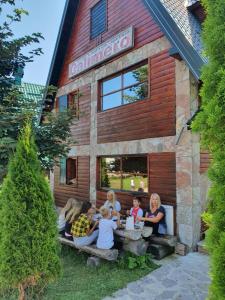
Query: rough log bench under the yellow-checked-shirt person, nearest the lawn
x=110, y=255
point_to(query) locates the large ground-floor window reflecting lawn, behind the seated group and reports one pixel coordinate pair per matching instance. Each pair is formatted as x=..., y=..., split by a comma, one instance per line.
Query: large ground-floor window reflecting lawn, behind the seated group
x=129, y=173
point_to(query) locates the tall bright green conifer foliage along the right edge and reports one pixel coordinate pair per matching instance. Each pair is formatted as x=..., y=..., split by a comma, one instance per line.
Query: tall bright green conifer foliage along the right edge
x=211, y=124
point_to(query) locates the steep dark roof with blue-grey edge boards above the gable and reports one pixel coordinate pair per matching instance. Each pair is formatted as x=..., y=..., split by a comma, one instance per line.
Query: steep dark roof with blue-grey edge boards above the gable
x=176, y=21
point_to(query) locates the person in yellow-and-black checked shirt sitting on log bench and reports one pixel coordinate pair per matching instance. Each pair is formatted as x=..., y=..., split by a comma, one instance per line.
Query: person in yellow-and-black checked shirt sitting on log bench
x=83, y=233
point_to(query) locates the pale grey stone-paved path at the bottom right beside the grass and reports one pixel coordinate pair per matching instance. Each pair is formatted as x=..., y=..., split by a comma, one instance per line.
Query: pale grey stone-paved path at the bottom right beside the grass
x=183, y=278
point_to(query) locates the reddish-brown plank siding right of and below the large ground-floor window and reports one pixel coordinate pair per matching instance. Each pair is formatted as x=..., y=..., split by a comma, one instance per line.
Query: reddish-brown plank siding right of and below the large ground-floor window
x=162, y=180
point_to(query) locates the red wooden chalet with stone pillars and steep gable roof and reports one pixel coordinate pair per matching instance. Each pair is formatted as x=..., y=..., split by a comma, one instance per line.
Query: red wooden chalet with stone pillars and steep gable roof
x=129, y=70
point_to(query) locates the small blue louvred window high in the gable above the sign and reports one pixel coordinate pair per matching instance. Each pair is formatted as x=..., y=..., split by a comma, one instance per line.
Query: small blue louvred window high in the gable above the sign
x=98, y=18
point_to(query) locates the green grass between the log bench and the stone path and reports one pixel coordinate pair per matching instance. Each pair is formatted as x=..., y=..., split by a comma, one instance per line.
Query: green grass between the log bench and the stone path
x=79, y=282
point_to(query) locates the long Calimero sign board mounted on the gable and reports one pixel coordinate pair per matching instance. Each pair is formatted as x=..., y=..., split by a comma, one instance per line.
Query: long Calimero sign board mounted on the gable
x=117, y=44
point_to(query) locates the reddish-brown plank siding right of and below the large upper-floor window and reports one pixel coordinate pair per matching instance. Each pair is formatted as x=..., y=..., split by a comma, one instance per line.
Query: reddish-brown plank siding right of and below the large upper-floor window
x=153, y=117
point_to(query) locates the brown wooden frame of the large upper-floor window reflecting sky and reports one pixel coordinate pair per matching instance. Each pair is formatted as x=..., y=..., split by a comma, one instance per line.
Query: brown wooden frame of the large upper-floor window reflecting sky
x=133, y=67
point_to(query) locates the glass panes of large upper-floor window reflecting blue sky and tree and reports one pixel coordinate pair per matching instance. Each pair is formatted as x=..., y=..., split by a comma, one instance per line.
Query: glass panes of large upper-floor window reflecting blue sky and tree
x=124, y=88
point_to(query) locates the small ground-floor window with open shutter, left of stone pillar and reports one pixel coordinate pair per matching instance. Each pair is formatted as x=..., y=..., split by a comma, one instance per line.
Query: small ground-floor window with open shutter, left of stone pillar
x=68, y=171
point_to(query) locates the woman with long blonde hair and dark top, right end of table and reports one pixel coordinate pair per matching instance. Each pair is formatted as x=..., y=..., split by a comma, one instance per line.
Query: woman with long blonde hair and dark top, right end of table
x=155, y=216
